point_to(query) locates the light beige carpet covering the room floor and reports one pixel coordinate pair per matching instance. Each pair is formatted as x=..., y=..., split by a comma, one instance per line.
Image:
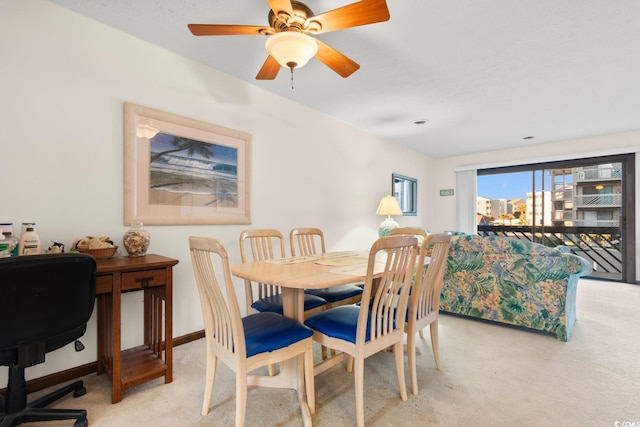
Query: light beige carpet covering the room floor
x=492, y=376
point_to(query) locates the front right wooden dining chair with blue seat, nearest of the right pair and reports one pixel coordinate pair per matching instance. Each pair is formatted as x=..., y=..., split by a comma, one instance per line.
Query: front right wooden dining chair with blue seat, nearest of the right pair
x=363, y=330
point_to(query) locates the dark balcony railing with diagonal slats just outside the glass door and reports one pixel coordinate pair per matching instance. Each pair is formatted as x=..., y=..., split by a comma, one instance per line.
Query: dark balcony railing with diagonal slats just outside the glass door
x=600, y=246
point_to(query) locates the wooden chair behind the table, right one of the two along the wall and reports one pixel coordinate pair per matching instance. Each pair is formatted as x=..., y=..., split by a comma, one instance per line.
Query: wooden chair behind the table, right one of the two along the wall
x=309, y=242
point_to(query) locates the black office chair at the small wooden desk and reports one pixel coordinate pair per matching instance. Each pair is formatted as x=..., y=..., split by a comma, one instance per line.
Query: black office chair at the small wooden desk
x=45, y=303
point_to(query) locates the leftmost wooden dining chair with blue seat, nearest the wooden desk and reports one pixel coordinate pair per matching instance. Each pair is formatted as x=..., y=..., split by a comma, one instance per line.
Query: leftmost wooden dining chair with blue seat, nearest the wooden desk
x=243, y=343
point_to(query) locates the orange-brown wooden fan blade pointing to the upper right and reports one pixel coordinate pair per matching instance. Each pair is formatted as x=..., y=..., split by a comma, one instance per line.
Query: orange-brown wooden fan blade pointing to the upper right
x=353, y=15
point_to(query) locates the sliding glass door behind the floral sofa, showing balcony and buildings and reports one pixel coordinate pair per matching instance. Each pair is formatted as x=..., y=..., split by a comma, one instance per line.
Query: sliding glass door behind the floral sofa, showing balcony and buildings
x=586, y=205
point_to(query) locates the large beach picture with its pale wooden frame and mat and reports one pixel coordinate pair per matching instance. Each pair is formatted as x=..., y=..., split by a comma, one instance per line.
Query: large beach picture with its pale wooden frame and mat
x=183, y=171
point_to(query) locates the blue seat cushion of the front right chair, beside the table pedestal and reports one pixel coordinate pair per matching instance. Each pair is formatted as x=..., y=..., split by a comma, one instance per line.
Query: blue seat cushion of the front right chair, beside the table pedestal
x=339, y=322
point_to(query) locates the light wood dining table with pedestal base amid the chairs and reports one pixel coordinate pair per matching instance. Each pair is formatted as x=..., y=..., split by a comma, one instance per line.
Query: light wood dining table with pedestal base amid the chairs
x=294, y=275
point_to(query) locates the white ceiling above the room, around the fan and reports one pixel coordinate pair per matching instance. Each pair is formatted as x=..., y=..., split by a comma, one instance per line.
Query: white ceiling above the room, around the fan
x=484, y=74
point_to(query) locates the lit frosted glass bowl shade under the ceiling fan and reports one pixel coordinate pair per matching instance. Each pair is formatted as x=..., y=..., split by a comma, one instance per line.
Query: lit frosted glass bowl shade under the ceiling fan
x=291, y=49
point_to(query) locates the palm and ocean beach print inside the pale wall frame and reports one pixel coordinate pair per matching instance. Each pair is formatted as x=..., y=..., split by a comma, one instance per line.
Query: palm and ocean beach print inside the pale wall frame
x=188, y=172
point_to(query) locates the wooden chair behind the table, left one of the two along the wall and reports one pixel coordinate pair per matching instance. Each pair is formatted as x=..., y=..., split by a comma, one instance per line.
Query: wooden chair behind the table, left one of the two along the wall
x=262, y=244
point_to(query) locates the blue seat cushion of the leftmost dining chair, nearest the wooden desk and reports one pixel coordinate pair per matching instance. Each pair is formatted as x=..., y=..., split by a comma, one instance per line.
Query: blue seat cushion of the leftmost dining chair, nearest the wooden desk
x=265, y=332
